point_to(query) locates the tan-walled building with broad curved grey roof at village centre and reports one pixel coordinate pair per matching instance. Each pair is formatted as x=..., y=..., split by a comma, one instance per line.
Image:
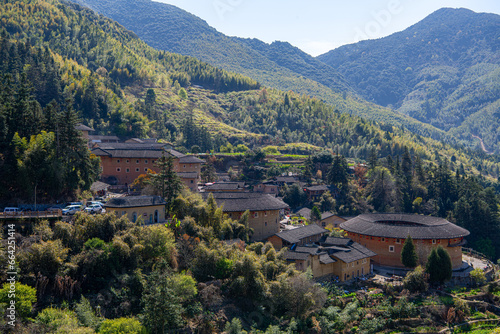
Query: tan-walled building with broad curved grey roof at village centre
x=265, y=210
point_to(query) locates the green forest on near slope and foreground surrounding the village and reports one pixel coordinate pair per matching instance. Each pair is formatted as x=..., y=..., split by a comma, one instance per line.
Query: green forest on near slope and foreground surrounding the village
x=62, y=64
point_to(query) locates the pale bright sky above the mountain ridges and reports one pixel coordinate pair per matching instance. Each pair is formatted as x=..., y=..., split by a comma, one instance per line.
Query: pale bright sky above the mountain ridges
x=317, y=26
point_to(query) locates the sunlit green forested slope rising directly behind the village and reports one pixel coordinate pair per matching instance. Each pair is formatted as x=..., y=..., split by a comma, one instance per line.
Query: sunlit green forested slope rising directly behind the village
x=119, y=85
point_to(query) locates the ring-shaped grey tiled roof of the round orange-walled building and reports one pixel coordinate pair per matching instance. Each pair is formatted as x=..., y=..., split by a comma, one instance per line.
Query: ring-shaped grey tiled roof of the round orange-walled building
x=396, y=225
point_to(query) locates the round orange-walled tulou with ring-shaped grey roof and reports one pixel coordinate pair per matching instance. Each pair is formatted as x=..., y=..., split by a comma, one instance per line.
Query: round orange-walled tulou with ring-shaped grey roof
x=385, y=235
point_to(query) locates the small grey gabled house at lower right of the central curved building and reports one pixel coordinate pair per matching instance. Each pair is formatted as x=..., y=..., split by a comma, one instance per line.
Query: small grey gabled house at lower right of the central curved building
x=298, y=236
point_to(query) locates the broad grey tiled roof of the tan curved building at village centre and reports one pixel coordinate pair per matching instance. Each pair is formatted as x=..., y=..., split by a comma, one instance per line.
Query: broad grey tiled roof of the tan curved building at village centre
x=241, y=201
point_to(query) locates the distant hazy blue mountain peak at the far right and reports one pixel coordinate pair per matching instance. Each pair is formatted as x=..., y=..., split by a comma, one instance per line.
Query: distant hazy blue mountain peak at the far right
x=444, y=70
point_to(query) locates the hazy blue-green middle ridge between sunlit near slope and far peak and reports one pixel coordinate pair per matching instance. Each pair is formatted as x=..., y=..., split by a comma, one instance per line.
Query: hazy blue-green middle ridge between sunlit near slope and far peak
x=278, y=65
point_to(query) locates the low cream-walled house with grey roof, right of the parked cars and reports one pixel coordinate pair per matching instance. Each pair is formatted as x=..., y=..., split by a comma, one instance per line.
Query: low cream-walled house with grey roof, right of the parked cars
x=150, y=208
